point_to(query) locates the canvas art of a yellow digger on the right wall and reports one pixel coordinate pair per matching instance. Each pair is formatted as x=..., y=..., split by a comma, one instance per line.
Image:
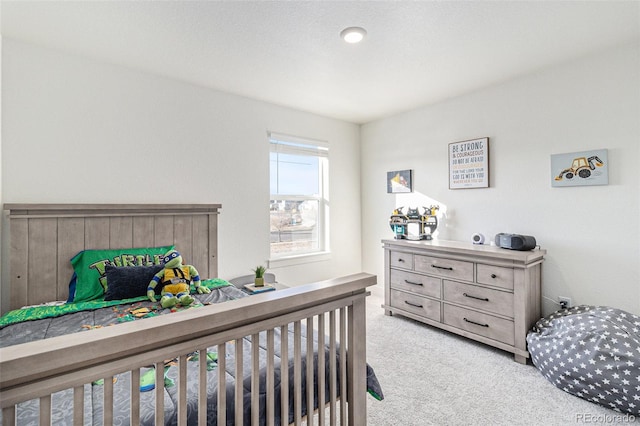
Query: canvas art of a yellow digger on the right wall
x=580, y=168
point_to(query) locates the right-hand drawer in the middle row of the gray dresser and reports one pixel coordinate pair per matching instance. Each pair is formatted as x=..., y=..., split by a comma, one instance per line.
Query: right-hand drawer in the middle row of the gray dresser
x=495, y=301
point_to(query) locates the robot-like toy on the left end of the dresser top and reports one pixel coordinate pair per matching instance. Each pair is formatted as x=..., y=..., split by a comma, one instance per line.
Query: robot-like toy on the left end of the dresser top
x=413, y=225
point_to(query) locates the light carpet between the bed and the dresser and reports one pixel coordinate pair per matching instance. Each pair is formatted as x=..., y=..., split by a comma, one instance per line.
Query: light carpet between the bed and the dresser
x=433, y=377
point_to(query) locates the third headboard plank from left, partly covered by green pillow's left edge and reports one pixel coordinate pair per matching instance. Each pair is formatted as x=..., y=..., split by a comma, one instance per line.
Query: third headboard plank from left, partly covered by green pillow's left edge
x=70, y=242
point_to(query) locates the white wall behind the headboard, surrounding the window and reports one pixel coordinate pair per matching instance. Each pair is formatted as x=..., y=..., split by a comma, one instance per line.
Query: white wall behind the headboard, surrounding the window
x=81, y=131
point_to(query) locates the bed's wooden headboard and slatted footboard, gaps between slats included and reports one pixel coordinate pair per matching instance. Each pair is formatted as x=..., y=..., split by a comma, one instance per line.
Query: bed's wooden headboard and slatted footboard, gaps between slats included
x=283, y=357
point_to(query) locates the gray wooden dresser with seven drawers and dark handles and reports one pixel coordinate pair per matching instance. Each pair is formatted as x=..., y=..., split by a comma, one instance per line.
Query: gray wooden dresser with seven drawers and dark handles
x=481, y=292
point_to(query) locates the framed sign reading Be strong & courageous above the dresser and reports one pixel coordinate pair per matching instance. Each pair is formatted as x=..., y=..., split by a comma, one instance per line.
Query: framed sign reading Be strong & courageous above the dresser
x=469, y=164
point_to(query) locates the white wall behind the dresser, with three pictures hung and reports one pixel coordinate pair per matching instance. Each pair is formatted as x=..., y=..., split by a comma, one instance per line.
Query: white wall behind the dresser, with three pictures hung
x=591, y=233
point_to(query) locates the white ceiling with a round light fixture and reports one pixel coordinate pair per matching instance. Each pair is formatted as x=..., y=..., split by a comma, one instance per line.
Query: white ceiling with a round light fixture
x=289, y=52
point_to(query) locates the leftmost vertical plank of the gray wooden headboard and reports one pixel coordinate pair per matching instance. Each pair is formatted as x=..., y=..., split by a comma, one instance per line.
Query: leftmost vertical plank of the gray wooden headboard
x=18, y=262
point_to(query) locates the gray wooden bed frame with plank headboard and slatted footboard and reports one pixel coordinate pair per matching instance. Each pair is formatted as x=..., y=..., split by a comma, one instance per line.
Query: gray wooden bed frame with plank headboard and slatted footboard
x=44, y=237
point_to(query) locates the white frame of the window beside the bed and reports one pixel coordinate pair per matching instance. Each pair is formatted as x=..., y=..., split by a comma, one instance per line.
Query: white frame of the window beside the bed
x=279, y=142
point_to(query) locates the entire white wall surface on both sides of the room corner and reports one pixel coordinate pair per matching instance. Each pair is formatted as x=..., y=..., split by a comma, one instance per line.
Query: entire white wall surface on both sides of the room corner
x=77, y=130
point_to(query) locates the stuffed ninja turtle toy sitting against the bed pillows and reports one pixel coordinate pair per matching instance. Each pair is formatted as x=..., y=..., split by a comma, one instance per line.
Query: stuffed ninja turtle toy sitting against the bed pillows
x=175, y=279
